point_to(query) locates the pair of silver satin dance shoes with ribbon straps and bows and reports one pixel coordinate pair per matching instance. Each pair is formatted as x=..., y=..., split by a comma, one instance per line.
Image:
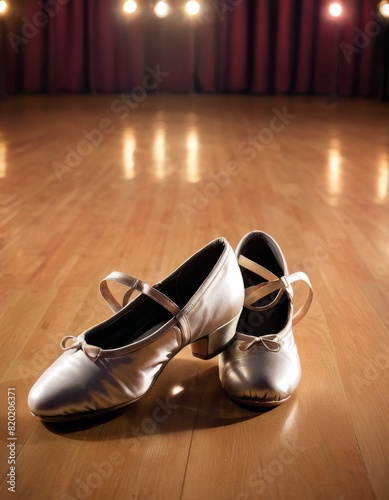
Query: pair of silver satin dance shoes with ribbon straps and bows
x=237, y=305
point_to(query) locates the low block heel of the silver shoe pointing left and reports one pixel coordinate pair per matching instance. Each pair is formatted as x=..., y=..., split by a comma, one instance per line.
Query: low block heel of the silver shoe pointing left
x=214, y=343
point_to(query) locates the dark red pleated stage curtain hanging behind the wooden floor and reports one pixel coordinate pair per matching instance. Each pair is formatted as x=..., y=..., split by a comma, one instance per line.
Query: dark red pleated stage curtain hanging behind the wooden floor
x=246, y=46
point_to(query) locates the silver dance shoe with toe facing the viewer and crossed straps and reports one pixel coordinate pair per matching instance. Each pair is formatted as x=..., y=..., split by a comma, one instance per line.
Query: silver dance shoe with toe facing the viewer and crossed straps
x=261, y=366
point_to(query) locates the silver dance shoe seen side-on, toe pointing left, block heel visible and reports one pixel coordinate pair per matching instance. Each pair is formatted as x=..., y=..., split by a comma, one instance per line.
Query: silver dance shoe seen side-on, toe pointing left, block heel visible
x=116, y=362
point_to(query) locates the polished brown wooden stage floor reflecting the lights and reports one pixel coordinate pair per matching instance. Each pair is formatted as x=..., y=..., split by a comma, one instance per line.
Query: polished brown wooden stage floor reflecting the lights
x=157, y=184
